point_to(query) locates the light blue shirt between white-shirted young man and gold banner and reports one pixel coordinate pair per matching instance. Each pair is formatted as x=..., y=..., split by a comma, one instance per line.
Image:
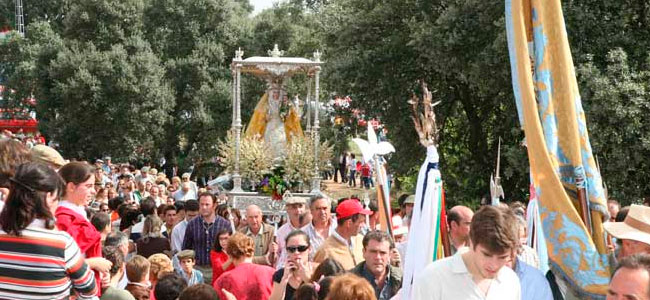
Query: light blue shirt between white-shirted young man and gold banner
x=533, y=283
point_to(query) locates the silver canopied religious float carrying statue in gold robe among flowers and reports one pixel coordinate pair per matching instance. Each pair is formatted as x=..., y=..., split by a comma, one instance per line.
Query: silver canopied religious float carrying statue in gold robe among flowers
x=273, y=158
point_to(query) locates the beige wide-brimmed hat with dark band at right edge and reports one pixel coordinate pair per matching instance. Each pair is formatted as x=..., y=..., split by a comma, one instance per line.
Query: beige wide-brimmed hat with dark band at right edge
x=636, y=225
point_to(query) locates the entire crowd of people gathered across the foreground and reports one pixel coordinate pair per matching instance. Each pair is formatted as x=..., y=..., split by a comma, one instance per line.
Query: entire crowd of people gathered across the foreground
x=112, y=231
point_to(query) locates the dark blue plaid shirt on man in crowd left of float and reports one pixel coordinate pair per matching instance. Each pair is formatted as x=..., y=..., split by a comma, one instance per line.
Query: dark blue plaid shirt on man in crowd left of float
x=200, y=235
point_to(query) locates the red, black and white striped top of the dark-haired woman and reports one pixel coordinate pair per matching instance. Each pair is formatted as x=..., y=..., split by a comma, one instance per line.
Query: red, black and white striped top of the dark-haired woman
x=42, y=264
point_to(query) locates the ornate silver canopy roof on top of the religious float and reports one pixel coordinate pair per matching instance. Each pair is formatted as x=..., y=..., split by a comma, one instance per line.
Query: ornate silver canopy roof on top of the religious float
x=275, y=65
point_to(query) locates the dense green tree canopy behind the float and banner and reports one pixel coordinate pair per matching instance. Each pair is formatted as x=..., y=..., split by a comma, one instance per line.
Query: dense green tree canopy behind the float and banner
x=152, y=77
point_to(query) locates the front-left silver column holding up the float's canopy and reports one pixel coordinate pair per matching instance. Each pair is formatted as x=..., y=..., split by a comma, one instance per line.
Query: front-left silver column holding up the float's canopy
x=236, y=177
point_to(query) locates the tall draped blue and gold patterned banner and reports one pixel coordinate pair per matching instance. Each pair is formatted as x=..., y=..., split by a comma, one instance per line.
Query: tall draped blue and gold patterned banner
x=561, y=160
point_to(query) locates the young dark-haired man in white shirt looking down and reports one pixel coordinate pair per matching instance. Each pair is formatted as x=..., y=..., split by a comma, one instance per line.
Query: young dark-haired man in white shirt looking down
x=477, y=272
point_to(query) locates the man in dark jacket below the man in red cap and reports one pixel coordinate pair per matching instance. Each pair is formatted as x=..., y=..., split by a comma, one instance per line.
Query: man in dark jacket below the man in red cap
x=384, y=278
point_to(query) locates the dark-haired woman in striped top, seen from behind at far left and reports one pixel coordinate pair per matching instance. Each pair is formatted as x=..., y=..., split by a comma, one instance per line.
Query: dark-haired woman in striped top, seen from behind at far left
x=38, y=260
